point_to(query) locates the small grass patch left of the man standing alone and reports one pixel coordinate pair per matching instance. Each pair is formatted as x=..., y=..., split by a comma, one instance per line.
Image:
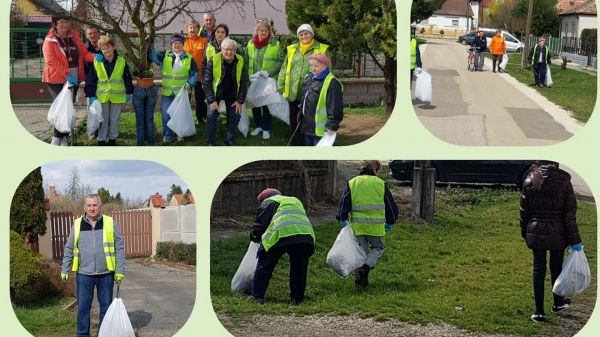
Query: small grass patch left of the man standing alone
x=48, y=319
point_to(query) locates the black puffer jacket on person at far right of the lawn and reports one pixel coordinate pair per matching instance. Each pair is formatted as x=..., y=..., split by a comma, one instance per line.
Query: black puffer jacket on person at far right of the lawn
x=548, y=208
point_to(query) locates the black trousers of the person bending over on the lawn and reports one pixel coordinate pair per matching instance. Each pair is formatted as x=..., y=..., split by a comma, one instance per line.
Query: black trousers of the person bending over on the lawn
x=299, y=255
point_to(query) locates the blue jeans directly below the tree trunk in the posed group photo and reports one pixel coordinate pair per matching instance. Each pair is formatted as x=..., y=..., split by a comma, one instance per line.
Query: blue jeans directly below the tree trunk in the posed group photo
x=144, y=102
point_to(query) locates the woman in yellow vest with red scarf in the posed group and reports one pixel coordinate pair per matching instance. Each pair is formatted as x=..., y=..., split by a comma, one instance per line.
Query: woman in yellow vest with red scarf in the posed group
x=264, y=56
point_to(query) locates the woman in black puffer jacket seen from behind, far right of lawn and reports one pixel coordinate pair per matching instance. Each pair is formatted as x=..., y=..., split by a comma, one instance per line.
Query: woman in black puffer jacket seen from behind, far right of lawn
x=548, y=208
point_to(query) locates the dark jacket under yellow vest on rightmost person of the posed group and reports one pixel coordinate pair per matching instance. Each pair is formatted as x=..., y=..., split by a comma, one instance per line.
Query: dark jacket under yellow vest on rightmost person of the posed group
x=311, y=89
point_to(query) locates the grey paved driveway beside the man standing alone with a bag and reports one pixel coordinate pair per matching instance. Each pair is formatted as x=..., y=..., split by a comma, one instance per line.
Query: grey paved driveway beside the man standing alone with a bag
x=159, y=299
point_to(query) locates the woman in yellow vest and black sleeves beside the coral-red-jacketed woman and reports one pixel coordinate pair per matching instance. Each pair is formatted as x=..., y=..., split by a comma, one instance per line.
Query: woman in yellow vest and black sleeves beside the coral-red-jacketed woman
x=109, y=82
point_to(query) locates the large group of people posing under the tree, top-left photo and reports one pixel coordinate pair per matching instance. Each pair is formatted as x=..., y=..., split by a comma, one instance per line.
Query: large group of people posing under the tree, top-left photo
x=206, y=62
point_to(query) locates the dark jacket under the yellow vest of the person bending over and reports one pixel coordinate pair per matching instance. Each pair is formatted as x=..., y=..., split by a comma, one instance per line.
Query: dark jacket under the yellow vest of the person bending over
x=264, y=215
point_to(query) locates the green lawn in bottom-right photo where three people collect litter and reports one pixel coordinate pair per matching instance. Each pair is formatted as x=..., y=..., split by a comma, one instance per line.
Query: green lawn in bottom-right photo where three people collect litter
x=470, y=269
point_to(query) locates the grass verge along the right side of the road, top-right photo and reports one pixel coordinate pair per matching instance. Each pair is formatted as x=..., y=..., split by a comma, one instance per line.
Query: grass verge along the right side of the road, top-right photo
x=573, y=90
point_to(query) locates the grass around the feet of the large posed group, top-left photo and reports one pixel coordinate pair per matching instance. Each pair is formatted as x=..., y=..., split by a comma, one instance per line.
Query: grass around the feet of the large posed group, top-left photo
x=280, y=132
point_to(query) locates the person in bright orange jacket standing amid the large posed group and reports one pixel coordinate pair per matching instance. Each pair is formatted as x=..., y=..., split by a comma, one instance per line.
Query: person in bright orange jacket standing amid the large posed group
x=195, y=45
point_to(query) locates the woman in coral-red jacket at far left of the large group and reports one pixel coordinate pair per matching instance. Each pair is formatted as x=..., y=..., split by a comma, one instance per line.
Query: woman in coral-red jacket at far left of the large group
x=64, y=55
